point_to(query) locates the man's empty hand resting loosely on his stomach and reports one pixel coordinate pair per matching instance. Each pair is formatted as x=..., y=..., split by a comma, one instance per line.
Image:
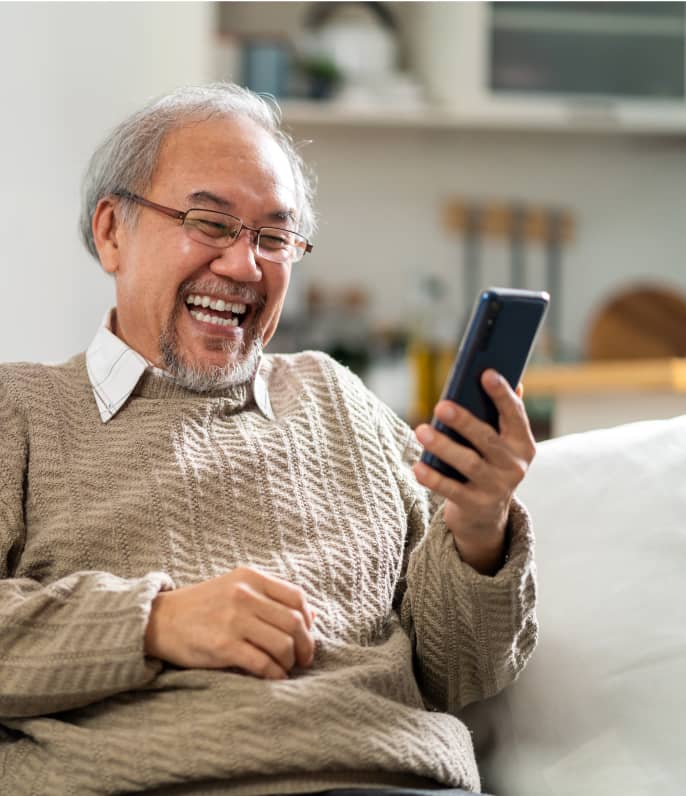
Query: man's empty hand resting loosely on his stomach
x=243, y=619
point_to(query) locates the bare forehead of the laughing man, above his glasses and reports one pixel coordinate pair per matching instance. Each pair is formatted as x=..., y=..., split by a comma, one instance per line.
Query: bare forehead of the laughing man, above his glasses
x=233, y=158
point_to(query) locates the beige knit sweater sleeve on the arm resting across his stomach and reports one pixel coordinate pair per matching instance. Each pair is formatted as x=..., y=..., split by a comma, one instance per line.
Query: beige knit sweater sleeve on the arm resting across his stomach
x=75, y=640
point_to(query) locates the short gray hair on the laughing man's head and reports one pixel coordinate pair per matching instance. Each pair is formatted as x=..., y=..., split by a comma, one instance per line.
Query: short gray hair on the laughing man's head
x=126, y=160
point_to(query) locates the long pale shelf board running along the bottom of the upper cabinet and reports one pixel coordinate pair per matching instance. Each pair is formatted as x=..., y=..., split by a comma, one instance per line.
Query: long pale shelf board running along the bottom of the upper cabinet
x=524, y=115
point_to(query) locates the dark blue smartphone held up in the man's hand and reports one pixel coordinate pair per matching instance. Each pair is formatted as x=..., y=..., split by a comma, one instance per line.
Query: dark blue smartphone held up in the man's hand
x=500, y=335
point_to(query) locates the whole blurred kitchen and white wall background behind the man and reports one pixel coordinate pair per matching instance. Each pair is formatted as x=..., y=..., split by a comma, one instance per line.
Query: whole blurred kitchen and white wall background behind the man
x=456, y=146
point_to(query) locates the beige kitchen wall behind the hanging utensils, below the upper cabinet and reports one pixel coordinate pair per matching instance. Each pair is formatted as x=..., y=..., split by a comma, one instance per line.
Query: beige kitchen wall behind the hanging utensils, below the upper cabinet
x=628, y=196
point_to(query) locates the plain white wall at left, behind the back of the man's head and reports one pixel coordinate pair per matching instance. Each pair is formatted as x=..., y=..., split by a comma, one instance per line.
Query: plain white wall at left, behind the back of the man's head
x=69, y=72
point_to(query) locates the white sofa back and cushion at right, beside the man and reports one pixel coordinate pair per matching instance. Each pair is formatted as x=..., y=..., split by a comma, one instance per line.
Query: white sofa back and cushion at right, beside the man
x=601, y=708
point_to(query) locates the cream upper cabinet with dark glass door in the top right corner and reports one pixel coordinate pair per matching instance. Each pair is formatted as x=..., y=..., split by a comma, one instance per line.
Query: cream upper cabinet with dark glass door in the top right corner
x=590, y=65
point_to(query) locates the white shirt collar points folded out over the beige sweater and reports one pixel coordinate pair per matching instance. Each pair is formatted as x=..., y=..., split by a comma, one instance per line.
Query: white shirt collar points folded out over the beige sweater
x=114, y=370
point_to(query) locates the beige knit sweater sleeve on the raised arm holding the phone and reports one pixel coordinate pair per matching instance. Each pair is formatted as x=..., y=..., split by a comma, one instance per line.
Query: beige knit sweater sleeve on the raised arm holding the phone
x=472, y=634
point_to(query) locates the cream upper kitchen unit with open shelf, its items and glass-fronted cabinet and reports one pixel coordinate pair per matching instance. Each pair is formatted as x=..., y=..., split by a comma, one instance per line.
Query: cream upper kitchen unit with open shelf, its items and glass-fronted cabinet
x=573, y=66
